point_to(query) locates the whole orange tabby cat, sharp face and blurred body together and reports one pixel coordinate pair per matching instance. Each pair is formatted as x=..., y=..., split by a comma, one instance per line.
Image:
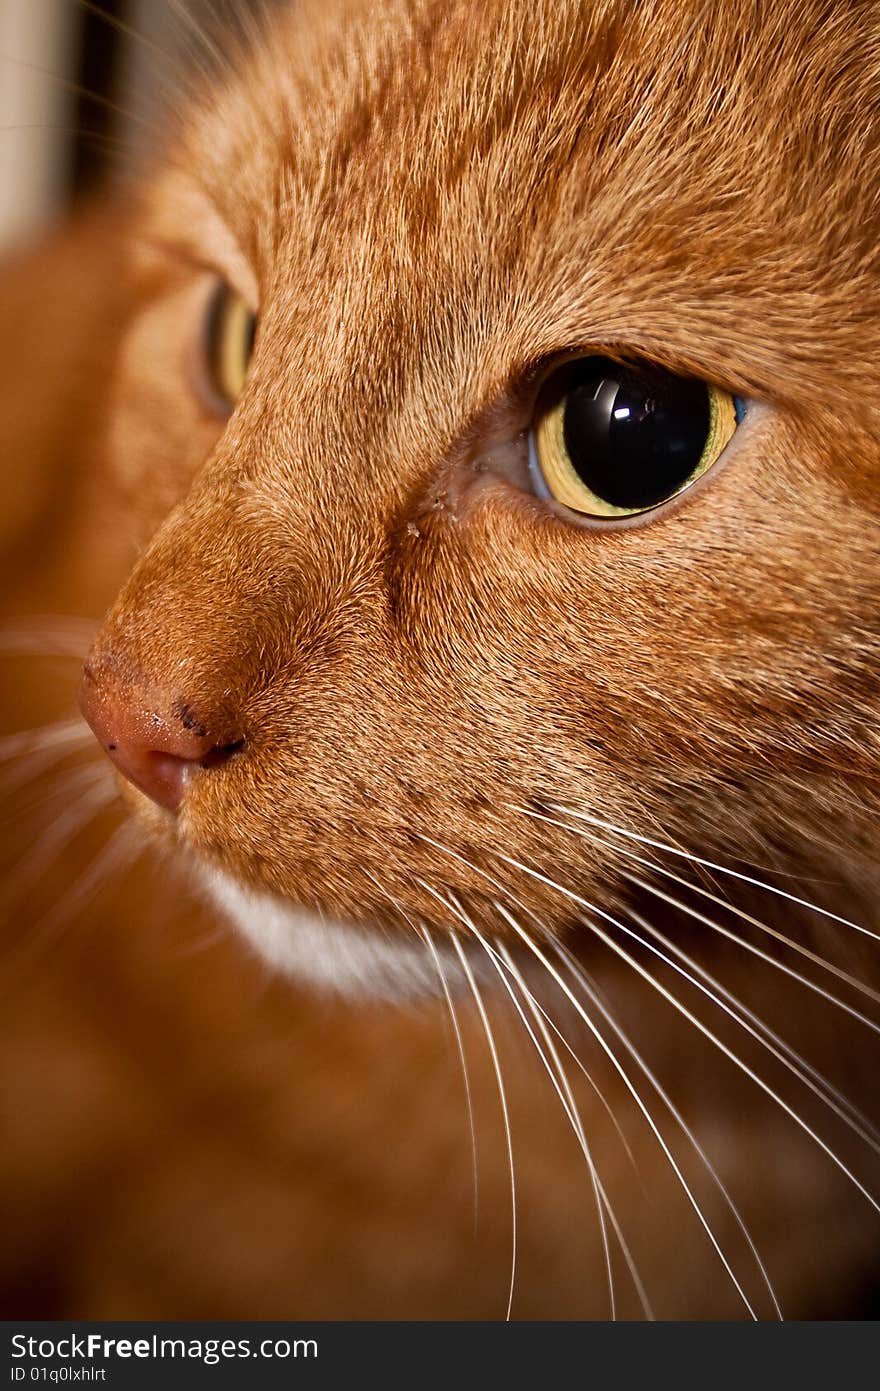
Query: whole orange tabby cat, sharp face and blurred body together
x=491, y=394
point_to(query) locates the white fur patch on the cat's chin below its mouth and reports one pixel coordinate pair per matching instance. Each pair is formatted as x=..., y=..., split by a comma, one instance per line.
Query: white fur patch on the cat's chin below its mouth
x=327, y=955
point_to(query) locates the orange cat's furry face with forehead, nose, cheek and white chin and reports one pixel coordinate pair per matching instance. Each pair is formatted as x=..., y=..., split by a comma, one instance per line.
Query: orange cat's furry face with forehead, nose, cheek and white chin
x=382, y=653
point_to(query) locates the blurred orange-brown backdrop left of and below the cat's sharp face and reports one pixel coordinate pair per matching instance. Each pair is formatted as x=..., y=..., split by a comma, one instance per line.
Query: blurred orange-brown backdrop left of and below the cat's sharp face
x=184, y=1134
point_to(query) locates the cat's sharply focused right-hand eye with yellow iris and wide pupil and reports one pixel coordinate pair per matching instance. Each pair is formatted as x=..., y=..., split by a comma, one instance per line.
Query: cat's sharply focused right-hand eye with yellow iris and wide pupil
x=612, y=442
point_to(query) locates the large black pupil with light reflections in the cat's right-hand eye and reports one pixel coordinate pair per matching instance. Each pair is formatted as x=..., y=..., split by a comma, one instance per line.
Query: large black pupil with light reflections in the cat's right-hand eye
x=635, y=435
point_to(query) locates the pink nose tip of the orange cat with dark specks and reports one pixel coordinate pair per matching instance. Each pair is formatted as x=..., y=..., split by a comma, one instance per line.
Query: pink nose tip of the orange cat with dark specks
x=158, y=756
